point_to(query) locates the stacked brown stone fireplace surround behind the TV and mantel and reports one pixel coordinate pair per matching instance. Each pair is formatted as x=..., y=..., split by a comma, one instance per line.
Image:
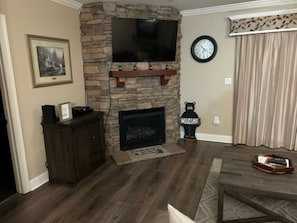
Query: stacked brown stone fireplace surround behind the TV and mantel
x=102, y=93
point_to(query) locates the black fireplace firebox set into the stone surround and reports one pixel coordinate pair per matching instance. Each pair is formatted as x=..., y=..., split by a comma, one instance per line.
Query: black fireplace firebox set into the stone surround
x=140, y=128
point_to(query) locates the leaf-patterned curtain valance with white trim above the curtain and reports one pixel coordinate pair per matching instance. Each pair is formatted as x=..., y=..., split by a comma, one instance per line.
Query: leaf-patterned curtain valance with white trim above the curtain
x=276, y=21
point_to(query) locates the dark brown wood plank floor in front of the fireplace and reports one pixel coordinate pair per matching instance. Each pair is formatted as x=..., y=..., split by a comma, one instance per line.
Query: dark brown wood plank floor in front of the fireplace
x=130, y=193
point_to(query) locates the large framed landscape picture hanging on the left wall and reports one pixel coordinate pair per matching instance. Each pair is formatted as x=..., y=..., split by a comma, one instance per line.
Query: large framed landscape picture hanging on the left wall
x=50, y=60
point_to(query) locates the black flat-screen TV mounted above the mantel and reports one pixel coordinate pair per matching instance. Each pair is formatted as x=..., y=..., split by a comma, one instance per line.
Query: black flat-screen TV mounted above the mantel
x=139, y=40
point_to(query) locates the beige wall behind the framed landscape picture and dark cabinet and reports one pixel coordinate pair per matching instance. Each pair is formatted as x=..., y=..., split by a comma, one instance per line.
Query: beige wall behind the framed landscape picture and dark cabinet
x=44, y=18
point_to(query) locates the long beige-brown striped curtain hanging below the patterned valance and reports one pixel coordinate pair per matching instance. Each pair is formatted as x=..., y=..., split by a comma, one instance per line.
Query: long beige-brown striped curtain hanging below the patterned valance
x=265, y=111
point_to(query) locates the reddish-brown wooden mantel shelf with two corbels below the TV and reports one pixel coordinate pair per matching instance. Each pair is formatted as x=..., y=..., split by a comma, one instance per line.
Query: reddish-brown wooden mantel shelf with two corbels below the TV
x=122, y=75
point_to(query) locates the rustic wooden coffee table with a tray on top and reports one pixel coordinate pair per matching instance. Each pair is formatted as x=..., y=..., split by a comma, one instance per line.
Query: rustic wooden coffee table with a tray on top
x=239, y=178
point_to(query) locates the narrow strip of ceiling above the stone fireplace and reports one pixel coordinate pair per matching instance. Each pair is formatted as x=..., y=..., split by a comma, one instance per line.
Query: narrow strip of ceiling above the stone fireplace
x=178, y=4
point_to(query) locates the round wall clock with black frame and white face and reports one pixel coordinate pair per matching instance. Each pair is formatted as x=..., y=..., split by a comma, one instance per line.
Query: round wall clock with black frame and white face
x=204, y=49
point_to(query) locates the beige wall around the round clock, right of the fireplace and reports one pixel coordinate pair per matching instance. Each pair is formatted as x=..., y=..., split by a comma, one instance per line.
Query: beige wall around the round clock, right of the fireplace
x=204, y=82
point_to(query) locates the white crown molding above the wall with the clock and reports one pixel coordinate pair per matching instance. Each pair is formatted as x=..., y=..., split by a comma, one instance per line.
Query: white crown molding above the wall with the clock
x=237, y=6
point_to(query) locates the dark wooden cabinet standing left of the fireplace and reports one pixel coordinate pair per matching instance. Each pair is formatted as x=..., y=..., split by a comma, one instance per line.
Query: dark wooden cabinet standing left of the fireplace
x=74, y=148
